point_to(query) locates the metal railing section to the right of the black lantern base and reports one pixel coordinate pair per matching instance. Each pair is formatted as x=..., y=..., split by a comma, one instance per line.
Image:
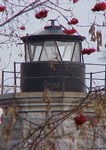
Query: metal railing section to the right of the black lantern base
x=96, y=76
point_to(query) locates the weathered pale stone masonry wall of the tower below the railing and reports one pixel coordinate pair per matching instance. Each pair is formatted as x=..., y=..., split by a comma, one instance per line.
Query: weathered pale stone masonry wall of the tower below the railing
x=44, y=119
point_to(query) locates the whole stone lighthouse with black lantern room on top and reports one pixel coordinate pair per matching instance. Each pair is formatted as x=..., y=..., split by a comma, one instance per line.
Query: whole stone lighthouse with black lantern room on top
x=49, y=110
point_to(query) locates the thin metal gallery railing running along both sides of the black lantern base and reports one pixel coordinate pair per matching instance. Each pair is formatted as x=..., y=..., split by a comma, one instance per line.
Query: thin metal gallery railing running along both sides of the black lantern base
x=95, y=77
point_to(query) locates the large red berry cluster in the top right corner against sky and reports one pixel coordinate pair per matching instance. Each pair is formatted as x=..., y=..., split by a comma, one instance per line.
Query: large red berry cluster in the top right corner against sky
x=99, y=6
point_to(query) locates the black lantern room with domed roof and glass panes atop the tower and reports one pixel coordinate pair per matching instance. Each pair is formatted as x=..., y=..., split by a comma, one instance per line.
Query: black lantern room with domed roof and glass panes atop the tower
x=52, y=60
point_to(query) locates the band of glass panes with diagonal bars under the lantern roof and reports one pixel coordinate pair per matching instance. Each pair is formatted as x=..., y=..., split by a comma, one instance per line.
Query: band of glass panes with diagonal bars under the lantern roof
x=53, y=50
